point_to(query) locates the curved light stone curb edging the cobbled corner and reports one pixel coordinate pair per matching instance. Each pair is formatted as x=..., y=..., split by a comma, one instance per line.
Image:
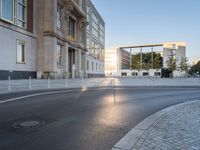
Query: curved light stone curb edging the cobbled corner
x=130, y=139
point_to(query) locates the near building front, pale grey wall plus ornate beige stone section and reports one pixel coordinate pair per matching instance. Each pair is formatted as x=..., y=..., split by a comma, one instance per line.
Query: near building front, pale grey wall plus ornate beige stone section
x=42, y=38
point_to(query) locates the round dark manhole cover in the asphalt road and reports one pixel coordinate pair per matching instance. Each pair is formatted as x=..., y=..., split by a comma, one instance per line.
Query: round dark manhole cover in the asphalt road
x=28, y=124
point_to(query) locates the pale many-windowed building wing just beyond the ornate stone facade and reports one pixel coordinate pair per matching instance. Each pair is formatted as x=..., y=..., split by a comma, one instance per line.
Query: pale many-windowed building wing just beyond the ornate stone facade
x=95, y=42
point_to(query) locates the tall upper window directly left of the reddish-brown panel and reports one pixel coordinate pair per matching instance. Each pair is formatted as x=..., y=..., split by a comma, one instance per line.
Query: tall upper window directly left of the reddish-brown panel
x=21, y=13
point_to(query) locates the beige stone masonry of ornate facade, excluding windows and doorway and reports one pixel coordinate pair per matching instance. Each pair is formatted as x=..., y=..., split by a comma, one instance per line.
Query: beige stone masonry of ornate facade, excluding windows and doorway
x=49, y=35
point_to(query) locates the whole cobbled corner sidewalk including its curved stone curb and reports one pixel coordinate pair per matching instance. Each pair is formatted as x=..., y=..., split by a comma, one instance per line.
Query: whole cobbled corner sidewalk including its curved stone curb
x=174, y=128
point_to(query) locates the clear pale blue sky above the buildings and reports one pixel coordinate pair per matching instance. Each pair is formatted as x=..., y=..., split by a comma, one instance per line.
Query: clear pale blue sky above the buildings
x=151, y=21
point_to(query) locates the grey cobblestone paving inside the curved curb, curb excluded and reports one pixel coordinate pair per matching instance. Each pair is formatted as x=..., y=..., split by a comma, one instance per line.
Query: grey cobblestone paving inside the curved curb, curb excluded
x=178, y=130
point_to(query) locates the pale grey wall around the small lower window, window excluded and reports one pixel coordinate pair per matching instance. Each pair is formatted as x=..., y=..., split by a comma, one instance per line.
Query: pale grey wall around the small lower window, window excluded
x=8, y=48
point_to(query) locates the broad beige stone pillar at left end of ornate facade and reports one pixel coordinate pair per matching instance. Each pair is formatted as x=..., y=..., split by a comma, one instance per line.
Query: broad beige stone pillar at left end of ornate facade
x=46, y=62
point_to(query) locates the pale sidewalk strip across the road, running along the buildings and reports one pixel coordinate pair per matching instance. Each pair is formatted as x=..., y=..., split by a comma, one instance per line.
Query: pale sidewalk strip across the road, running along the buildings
x=7, y=86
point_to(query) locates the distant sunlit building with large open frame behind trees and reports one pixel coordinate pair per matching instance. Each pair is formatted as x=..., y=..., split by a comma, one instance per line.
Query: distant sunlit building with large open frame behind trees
x=118, y=60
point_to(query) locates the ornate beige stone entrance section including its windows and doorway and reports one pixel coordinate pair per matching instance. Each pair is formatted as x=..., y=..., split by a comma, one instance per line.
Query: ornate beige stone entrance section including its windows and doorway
x=61, y=38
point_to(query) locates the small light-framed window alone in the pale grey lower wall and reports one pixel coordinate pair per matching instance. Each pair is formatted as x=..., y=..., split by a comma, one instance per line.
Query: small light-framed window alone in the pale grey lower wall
x=21, y=52
